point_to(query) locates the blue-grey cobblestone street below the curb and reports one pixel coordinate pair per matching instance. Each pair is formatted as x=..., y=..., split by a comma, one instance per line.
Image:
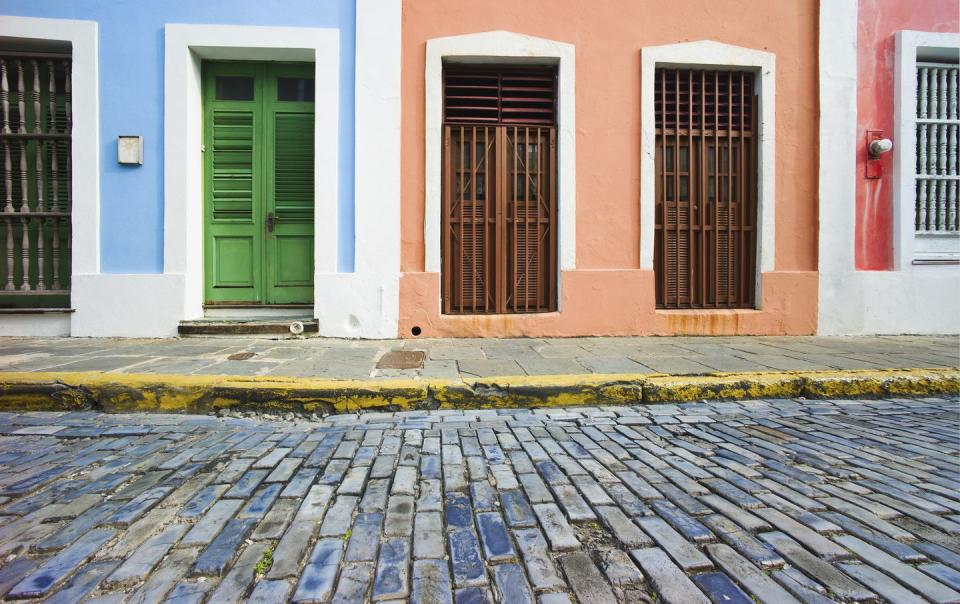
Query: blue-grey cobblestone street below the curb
x=776, y=501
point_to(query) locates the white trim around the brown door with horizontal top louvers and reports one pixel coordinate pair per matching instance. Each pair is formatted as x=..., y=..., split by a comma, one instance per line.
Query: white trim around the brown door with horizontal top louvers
x=501, y=47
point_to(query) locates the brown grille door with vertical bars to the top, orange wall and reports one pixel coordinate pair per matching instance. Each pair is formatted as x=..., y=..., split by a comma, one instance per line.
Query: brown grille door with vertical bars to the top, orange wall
x=706, y=189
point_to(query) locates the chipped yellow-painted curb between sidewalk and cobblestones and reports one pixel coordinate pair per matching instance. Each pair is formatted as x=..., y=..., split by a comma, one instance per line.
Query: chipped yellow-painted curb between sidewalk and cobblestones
x=118, y=392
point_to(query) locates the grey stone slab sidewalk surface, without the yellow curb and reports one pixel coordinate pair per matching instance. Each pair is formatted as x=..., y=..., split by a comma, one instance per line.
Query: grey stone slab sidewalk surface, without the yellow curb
x=470, y=358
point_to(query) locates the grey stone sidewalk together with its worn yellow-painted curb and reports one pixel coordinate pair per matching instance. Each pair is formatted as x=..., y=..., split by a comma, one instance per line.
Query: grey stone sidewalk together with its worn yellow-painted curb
x=328, y=375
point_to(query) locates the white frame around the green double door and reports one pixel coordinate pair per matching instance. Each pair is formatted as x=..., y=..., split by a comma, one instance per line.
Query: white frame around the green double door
x=186, y=46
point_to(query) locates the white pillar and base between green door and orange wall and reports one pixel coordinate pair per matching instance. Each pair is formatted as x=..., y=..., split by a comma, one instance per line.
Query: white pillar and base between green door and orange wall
x=366, y=303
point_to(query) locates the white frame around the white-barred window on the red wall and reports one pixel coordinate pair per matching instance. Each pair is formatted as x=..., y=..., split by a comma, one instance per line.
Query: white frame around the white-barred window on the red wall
x=907, y=246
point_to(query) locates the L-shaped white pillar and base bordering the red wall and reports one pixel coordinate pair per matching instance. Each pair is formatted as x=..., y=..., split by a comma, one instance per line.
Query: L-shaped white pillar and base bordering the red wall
x=912, y=299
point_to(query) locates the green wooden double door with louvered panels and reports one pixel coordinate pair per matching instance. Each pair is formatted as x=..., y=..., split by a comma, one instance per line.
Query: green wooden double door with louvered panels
x=258, y=179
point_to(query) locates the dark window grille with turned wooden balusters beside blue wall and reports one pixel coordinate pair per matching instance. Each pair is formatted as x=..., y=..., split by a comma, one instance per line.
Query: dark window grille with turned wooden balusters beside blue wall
x=35, y=189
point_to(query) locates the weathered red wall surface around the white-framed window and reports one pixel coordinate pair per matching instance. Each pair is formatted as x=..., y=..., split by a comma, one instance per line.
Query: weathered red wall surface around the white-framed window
x=878, y=21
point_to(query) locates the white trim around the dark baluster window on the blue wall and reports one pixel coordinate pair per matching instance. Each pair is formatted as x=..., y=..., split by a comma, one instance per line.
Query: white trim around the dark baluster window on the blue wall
x=85, y=157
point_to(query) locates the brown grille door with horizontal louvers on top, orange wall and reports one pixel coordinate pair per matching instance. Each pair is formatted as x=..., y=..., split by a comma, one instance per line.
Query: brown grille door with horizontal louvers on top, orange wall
x=499, y=194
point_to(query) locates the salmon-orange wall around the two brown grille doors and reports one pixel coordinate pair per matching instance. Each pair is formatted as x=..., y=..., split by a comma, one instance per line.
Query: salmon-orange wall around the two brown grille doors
x=608, y=293
